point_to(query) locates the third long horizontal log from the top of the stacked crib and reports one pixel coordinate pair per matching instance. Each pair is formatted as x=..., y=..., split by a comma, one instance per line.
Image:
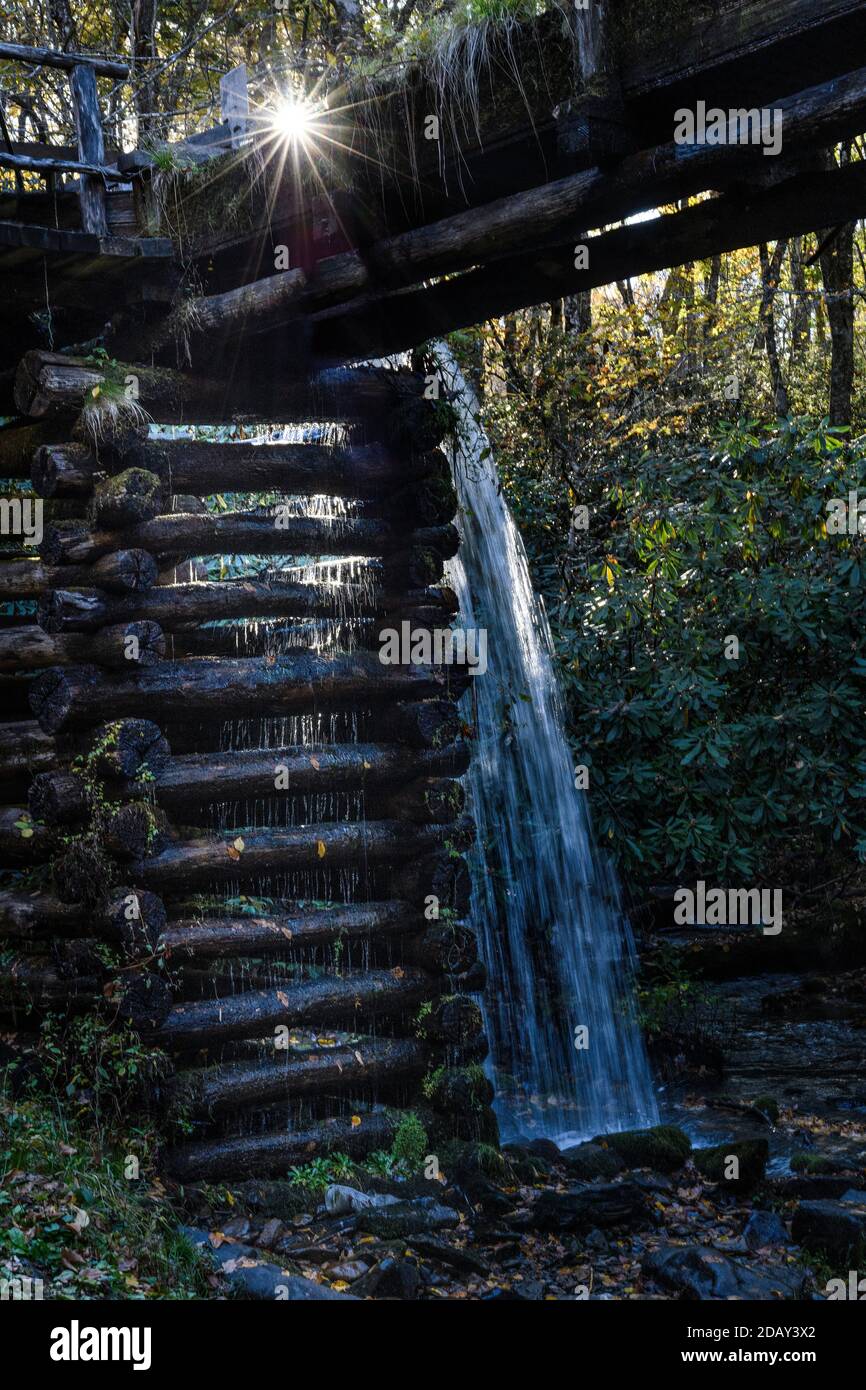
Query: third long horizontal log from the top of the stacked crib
x=236, y=533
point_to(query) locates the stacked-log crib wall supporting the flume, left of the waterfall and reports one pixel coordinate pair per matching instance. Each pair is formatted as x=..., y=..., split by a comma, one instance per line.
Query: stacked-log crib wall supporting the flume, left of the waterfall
x=223, y=785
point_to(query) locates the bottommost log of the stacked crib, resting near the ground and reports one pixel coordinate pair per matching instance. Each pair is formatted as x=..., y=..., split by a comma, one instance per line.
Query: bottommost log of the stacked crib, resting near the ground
x=262, y=1156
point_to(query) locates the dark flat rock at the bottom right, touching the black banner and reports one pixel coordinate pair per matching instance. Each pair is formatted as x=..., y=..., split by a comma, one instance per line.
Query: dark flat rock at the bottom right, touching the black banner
x=696, y=1273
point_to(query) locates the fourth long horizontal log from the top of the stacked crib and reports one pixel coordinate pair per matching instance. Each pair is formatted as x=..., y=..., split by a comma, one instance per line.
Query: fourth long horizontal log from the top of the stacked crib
x=180, y=607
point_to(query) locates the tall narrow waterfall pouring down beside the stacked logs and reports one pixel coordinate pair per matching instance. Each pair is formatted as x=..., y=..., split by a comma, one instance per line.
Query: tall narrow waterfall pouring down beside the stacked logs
x=566, y=1054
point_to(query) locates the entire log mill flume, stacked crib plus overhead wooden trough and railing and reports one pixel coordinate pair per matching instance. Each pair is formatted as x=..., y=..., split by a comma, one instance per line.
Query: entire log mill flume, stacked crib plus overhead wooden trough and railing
x=209, y=776
